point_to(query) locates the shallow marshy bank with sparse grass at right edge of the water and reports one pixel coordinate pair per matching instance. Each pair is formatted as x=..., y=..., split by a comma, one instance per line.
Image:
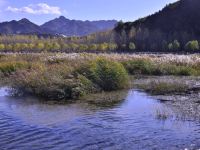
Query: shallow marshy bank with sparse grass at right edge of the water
x=181, y=94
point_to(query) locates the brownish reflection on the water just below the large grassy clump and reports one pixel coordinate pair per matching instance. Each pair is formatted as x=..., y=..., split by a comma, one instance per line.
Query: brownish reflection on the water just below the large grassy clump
x=35, y=111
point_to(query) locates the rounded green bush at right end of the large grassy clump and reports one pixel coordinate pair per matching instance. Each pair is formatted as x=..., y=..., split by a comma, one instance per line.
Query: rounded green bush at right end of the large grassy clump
x=108, y=75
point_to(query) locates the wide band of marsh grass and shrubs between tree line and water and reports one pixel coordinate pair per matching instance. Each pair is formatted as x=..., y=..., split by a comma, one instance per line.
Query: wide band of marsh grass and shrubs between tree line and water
x=71, y=76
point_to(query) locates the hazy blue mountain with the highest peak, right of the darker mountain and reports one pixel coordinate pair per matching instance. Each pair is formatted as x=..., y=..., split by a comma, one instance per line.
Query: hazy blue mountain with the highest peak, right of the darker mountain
x=69, y=27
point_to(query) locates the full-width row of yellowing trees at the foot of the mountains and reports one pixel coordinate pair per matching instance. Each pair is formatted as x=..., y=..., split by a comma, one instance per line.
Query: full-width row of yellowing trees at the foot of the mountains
x=103, y=42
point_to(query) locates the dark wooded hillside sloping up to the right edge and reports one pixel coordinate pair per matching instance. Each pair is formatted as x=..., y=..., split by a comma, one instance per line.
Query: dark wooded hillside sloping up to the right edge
x=176, y=27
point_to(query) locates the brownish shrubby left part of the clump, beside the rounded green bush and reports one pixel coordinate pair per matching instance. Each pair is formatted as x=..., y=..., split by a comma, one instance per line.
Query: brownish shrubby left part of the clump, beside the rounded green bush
x=46, y=82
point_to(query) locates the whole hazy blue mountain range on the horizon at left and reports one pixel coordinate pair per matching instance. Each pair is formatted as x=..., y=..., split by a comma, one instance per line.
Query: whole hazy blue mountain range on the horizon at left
x=58, y=26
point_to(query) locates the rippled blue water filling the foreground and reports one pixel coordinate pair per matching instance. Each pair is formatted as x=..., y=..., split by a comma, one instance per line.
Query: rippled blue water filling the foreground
x=27, y=124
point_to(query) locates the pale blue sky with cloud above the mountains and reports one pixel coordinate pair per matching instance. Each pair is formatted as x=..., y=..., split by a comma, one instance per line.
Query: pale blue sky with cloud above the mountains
x=40, y=11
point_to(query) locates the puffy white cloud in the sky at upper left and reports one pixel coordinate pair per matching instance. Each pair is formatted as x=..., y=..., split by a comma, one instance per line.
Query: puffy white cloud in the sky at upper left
x=38, y=9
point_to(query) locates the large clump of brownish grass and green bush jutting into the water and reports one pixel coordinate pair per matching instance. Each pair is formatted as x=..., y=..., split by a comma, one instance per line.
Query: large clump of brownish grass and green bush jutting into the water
x=65, y=79
